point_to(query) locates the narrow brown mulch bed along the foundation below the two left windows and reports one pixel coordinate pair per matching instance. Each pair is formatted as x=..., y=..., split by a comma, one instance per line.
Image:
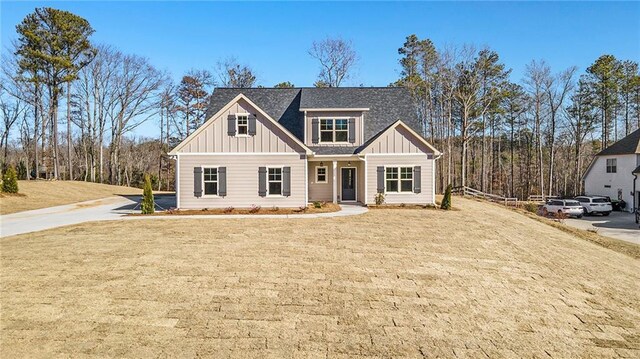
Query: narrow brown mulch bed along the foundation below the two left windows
x=326, y=208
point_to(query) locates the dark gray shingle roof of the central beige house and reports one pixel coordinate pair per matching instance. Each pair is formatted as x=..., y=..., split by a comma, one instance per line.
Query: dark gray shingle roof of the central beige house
x=386, y=105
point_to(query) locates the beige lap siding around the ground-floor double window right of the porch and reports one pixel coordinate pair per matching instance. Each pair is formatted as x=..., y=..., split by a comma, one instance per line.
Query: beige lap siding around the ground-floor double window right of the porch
x=426, y=195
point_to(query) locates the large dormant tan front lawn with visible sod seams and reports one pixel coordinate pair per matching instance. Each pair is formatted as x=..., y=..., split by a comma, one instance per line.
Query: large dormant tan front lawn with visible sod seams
x=483, y=281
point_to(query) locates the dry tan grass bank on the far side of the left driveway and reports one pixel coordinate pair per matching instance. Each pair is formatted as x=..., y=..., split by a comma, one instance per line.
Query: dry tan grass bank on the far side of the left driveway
x=43, y=194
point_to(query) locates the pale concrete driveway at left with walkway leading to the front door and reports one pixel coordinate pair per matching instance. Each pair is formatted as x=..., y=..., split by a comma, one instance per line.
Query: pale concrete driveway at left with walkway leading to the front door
x=117, y=208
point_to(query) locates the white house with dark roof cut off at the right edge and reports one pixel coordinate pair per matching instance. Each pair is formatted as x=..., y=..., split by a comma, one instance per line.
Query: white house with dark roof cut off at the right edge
x=613, y=171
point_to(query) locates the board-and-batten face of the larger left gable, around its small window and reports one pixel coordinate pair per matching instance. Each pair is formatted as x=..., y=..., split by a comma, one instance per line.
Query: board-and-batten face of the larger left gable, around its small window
x=212, y=137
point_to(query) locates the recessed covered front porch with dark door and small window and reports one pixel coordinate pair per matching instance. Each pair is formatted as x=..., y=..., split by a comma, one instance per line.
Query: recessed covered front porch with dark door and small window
x=337, y=179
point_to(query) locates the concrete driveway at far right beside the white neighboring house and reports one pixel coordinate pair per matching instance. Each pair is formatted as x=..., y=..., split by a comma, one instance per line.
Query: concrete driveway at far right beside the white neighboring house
x=618, y=225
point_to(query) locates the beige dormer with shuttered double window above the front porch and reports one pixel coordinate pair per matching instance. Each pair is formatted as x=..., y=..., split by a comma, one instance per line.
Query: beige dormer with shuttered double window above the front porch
x=334, y=127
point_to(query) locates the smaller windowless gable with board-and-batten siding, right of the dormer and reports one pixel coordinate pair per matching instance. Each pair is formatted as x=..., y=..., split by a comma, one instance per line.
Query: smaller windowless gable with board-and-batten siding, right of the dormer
x=398, y=138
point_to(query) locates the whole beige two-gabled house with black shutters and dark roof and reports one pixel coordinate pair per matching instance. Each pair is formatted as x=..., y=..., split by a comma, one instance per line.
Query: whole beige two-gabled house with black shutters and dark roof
x=289, y=147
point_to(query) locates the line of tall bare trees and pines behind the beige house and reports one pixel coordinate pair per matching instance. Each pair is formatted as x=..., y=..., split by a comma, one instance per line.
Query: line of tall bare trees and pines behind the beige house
x=535, y=135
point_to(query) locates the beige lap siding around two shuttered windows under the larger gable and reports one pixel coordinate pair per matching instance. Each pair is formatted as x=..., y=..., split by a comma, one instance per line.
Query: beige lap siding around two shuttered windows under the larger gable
x=242, y=180
